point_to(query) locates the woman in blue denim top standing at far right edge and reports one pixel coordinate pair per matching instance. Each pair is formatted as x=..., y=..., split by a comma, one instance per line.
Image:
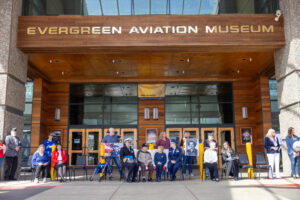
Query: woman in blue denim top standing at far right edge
x=294, y=156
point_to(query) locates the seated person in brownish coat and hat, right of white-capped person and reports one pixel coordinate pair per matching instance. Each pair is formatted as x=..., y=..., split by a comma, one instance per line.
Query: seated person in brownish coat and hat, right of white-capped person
x=145, y=162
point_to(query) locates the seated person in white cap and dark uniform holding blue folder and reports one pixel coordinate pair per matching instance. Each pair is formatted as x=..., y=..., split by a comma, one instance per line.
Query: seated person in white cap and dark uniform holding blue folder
x=128, y=160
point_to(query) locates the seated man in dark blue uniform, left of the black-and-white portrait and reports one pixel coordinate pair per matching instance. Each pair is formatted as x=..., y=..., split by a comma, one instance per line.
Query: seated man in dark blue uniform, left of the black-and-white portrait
x=175, y=159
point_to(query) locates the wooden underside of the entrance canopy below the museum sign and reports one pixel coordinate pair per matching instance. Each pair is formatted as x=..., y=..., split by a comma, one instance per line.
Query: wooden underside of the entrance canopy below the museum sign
x=142, y=67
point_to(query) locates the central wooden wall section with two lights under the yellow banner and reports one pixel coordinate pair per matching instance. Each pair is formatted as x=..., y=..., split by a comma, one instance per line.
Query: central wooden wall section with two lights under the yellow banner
x=151, y=123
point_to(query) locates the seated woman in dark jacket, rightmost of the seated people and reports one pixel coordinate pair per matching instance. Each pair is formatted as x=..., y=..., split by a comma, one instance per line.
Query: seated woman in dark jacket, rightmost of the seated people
x=230, y=161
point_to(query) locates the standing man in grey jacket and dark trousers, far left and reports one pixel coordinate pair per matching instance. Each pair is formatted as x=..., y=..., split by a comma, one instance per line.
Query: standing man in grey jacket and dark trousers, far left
x=13, y=144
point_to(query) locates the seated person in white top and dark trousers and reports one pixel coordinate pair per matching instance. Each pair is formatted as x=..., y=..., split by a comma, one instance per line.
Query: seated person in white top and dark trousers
x=210, y=161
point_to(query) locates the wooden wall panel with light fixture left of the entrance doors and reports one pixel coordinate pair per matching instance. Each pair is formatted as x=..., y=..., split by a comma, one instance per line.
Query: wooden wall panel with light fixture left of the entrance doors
x=48, y=97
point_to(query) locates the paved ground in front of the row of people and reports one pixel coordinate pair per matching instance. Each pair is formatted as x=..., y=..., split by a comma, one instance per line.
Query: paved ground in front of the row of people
x=194, y=189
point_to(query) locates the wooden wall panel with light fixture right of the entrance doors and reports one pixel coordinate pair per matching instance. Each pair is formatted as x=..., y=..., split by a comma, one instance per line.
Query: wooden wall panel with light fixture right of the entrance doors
x=255, y=96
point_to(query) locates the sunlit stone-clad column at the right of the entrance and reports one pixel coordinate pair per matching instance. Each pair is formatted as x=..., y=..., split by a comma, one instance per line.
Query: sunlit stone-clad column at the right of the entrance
x=287, y=67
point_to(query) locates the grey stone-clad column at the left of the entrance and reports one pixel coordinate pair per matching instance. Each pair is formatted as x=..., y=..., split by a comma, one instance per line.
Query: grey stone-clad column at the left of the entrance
x=13, y=70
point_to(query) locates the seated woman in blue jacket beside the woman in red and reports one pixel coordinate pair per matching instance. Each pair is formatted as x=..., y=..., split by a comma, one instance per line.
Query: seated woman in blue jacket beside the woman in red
x=40, y=161
